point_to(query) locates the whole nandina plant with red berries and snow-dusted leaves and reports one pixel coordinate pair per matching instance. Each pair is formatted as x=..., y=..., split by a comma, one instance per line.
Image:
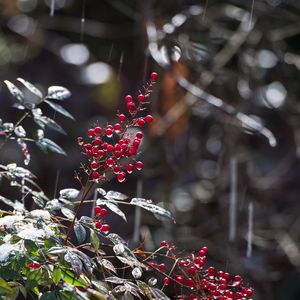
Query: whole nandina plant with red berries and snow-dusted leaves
x=38, y=258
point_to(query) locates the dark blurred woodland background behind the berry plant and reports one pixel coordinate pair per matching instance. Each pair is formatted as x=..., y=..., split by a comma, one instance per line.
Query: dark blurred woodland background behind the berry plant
x=223, y=152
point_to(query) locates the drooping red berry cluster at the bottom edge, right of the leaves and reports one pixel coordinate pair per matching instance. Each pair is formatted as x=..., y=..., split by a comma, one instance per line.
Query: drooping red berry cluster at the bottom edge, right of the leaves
x=198, y=281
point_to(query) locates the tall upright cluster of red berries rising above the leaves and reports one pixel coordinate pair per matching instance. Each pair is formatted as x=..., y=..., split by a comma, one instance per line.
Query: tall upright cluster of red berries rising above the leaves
x=114, y=147
